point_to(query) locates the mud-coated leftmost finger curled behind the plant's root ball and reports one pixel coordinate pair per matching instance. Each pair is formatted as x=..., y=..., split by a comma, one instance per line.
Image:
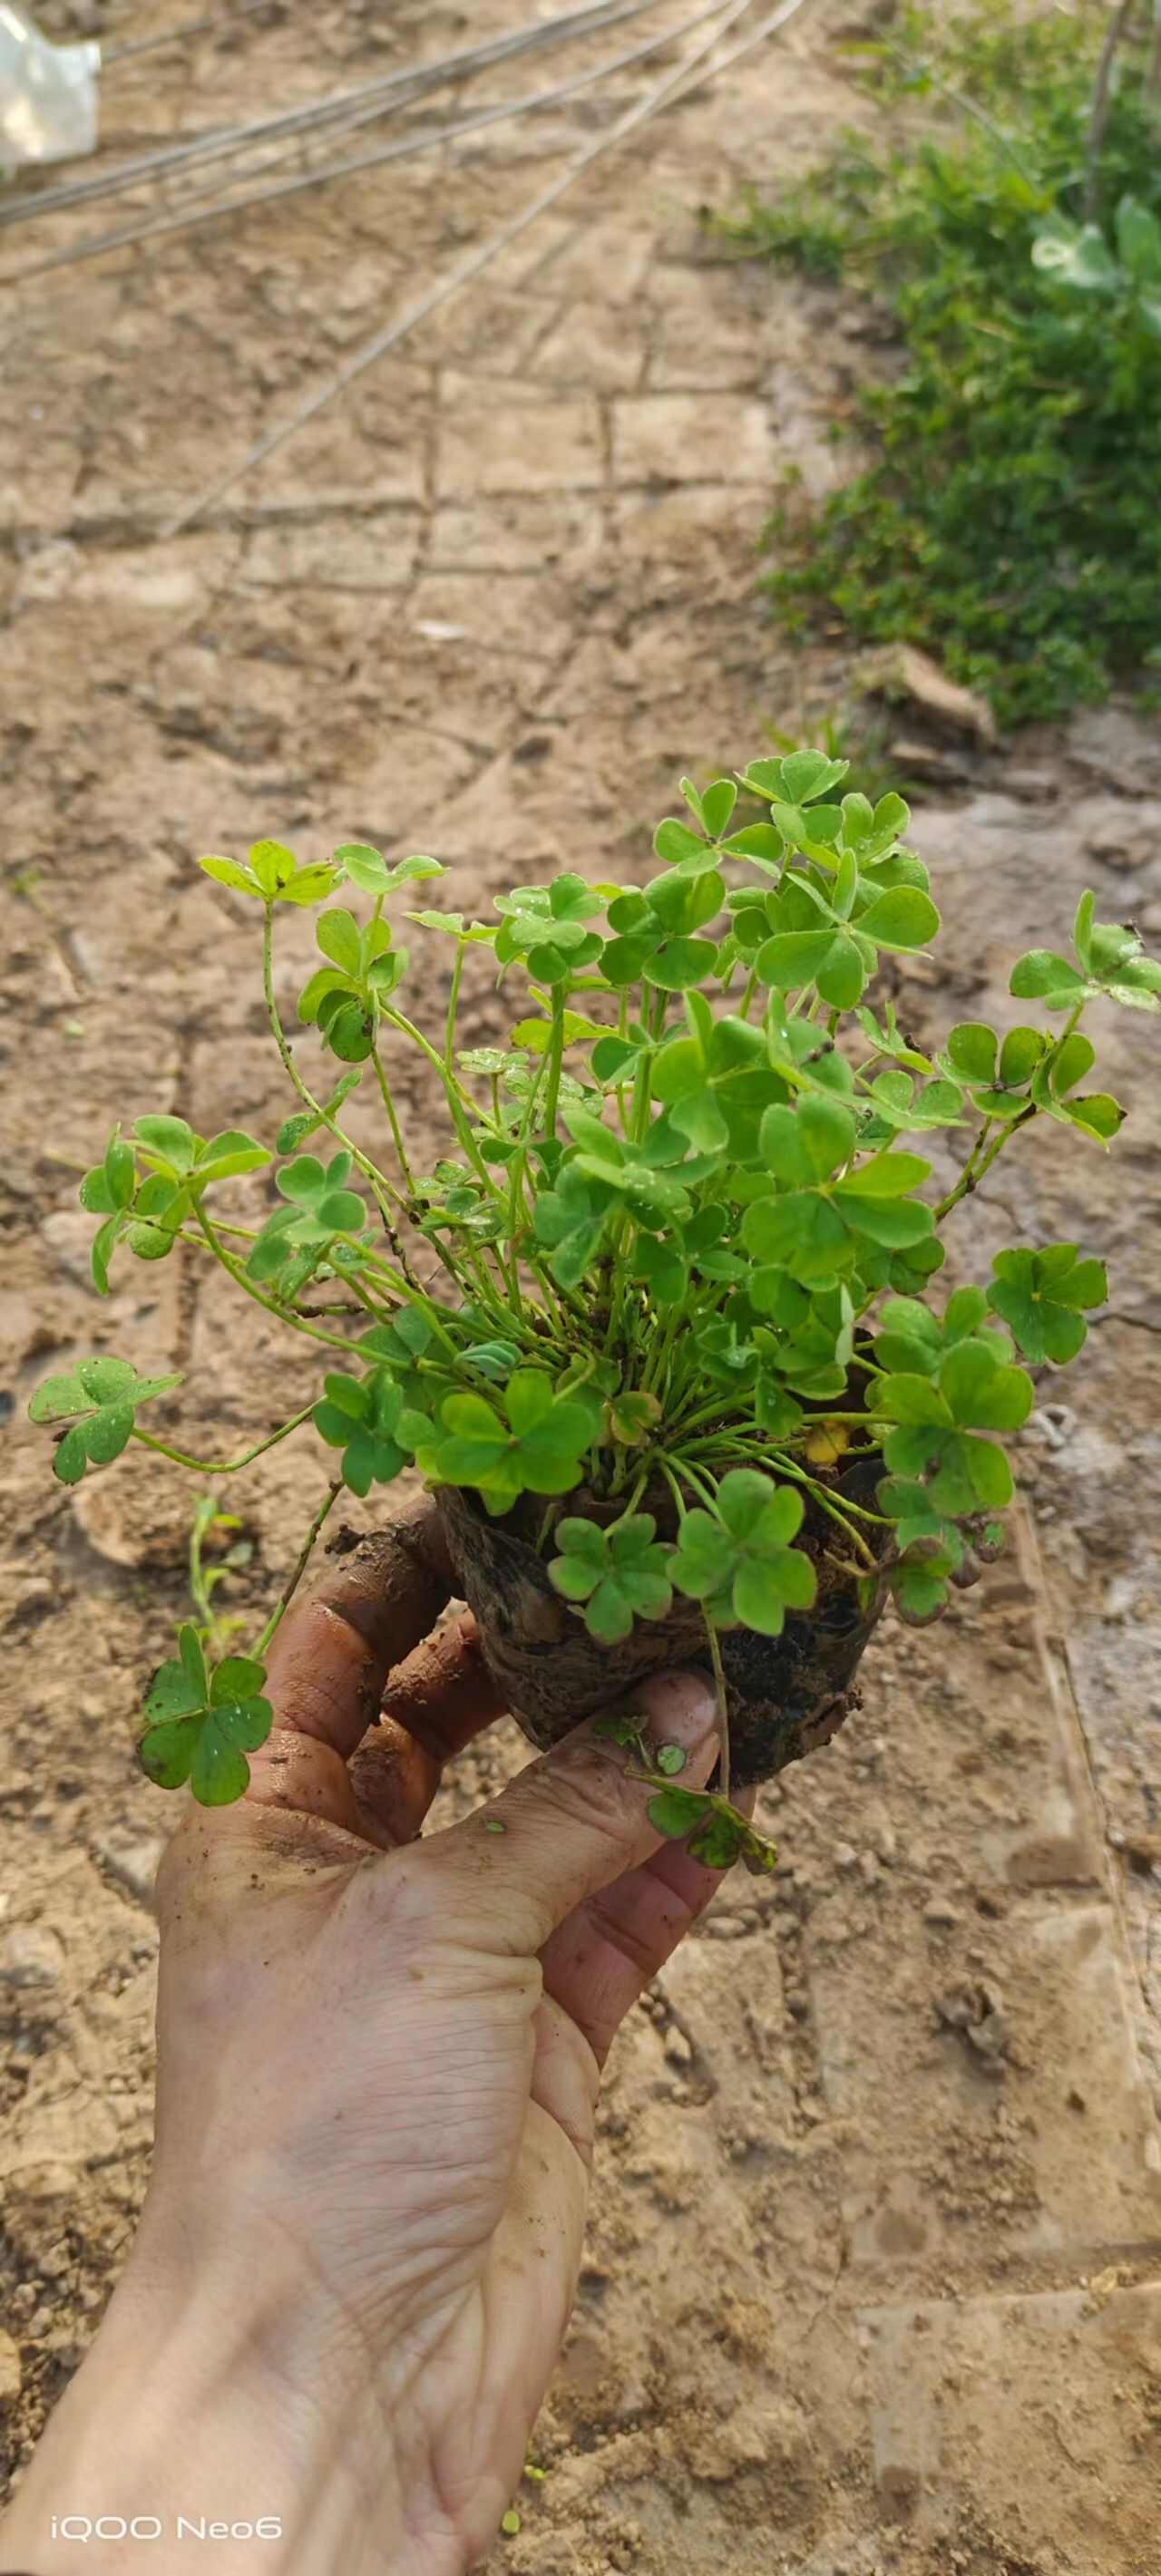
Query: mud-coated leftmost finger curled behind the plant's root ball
x=331, y=1658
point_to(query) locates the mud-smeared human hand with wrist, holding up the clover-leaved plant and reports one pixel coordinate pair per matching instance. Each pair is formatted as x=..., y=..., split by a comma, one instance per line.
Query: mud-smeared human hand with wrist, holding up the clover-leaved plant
x=377, y=2088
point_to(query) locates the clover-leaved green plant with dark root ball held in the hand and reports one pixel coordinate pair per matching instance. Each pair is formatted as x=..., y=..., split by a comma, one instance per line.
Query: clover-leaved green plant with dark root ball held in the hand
x=665, y=1325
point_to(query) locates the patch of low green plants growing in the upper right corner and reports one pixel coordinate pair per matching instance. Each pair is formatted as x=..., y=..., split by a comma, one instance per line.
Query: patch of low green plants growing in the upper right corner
x=1008, y=514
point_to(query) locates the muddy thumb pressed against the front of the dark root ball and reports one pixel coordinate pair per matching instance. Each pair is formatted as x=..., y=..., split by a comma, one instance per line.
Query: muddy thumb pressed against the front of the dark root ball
x=573, y=1823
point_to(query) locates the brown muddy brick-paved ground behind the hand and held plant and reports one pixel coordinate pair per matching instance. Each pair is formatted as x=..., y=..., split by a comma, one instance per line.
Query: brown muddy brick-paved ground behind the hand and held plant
x=874, y=2260
